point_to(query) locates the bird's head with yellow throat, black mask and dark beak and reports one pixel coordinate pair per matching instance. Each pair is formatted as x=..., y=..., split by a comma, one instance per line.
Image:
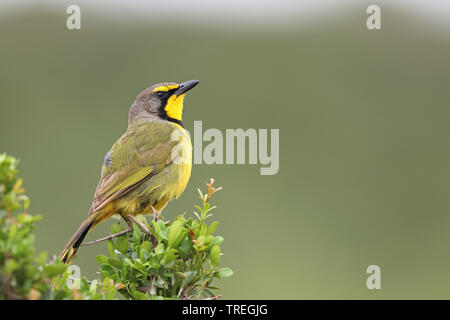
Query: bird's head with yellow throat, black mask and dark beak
x=162, y=101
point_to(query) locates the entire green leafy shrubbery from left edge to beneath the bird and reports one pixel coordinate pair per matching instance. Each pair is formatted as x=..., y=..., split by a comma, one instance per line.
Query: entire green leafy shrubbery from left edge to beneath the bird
x=179, y=260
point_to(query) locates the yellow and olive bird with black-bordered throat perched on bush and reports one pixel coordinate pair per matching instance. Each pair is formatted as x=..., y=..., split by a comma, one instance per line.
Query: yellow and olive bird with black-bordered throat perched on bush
x=149, y=165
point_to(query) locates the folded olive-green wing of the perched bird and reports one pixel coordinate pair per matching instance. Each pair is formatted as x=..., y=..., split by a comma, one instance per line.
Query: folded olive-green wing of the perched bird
x=142, y=152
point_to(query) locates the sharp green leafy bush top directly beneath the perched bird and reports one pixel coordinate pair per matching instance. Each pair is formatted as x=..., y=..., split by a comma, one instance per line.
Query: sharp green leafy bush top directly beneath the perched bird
x=179, y=261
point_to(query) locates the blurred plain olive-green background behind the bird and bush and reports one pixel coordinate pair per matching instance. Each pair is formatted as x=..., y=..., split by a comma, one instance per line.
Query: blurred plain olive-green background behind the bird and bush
x=364, y=139
